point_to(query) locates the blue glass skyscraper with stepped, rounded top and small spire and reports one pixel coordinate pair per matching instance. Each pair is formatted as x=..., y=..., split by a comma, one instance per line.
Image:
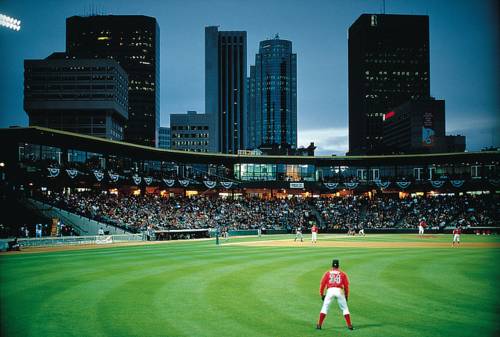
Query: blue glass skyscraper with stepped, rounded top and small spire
x=272, y=91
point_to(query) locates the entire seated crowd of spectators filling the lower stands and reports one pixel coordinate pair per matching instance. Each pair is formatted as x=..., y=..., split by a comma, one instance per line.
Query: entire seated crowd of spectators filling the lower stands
x=137, y=213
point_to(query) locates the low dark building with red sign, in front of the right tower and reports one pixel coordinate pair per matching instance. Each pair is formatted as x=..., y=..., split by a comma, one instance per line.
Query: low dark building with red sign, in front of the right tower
x=419, y=127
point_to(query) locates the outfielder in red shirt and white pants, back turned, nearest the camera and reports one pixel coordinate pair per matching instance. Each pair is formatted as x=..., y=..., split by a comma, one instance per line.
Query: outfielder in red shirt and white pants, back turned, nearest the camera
x=336, y=284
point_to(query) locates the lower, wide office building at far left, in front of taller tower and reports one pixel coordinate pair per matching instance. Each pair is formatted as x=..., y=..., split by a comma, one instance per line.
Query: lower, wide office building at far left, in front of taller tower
x=87, y=96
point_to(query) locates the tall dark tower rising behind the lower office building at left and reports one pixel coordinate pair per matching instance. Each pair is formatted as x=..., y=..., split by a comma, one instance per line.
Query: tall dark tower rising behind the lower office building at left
x=133, y=41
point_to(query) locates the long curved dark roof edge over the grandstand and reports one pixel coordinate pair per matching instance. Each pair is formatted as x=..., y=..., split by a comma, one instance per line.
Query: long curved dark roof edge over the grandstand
x=69, y=140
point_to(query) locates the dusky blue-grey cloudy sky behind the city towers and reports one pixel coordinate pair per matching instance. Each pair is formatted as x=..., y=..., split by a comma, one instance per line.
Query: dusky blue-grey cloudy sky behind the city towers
x=464, y=48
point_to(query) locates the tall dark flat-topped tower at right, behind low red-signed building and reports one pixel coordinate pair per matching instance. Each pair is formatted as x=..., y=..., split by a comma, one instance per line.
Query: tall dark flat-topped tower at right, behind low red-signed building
x=388, y=65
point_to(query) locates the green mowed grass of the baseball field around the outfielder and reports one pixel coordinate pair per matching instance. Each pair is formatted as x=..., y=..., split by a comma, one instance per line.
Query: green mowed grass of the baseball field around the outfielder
x=199, y=289
